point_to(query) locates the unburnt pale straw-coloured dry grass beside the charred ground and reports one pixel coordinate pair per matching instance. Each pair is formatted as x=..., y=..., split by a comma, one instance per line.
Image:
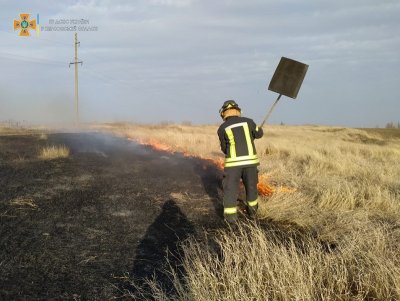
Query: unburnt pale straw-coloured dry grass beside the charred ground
x=336, y=236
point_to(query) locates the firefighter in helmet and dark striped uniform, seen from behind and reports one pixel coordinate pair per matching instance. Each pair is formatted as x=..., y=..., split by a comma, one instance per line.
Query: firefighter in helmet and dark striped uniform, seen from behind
x=236, y=135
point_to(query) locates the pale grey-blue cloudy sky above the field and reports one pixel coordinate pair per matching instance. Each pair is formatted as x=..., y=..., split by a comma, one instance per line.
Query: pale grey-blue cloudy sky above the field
x=152, y=61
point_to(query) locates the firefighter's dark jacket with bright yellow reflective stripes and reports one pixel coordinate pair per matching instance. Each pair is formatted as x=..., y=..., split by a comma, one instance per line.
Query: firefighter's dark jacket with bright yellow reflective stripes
x=236, y=136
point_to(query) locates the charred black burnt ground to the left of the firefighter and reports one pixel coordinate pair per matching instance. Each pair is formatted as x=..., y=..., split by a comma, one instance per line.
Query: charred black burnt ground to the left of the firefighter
x=108, y=211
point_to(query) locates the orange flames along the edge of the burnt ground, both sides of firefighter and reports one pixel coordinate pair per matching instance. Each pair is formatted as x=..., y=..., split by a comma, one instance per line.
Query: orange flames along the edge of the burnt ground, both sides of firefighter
x=263, y=187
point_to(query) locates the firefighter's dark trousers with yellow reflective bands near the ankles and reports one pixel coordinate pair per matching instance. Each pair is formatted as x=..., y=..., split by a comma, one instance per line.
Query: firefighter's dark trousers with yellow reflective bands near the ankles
x=231, y=186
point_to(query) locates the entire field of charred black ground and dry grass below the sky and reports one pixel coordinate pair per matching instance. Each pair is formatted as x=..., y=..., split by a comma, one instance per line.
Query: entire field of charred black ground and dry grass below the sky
x=124, y=210
